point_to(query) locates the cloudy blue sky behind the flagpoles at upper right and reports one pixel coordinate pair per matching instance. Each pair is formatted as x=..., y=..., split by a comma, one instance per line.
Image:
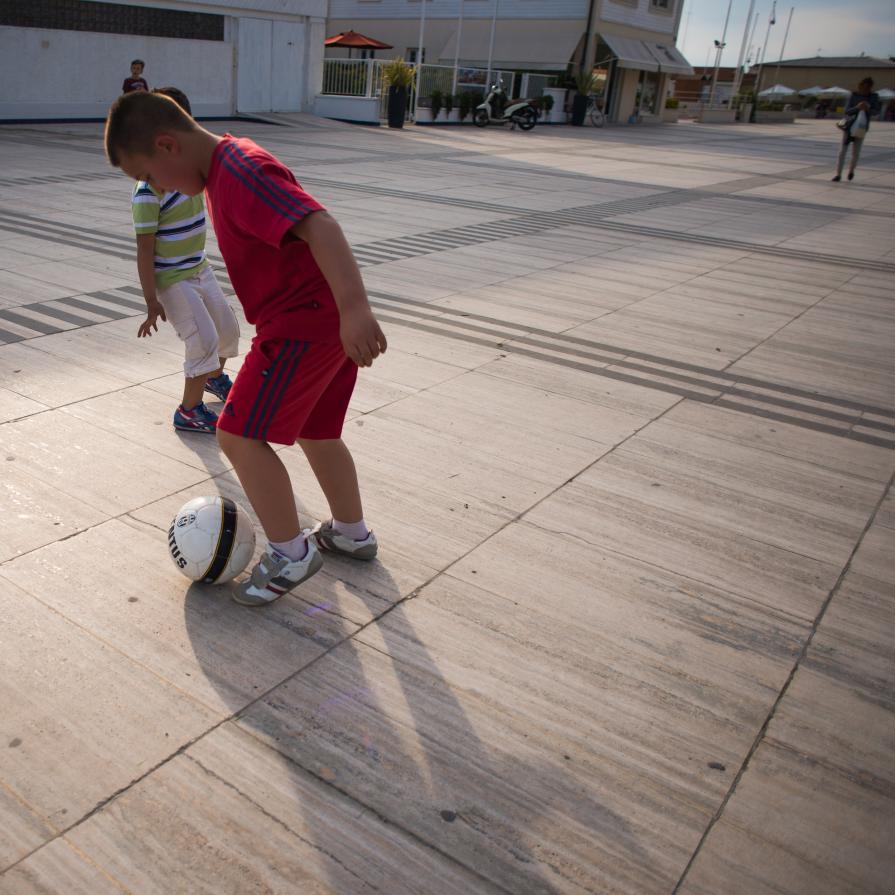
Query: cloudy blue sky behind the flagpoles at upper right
x=827, y=27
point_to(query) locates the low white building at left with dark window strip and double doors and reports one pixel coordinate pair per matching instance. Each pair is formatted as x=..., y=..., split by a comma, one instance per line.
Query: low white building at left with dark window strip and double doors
x=69, y=58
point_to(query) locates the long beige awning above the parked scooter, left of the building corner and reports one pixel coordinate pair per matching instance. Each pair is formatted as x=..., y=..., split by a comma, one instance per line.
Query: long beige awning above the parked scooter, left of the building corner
x=537, y=44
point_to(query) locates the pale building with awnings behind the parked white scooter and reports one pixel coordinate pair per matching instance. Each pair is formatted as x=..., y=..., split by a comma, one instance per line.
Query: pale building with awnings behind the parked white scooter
x=631, y=43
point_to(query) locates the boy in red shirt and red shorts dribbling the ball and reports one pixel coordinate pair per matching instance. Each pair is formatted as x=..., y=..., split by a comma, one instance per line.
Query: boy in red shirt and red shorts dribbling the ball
x=298, y=282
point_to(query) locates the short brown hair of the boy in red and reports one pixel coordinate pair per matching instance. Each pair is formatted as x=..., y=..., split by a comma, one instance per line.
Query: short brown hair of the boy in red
x=136, y=119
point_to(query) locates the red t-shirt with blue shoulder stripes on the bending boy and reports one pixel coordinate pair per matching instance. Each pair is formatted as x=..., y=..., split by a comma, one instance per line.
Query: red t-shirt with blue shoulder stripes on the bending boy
x=254, y=200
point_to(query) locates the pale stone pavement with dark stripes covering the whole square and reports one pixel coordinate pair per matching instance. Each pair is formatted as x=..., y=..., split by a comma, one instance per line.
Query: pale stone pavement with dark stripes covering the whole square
x=630, y=458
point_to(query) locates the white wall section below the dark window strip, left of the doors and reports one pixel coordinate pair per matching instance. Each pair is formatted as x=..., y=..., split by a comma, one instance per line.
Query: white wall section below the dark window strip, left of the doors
x=77, y=74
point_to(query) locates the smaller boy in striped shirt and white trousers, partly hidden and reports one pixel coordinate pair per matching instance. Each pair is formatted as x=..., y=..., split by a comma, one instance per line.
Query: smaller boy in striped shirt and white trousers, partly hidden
x=180, y=287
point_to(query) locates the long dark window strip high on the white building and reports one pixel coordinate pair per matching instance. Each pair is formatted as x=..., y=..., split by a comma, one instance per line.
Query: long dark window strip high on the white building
x=110, y=18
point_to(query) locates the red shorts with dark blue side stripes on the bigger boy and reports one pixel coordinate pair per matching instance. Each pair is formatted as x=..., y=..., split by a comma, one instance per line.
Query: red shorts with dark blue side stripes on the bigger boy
x=289, y=389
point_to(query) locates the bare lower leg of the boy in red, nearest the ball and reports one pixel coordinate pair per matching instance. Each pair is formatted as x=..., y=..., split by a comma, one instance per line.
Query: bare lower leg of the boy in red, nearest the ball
x=266, y=483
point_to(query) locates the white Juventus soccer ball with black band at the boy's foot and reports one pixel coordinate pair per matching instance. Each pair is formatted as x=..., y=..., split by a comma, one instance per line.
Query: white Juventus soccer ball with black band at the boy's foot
x=211, y=539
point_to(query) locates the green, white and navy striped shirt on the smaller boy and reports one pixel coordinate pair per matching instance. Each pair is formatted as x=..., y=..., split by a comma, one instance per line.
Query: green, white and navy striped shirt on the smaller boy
x=178, y=222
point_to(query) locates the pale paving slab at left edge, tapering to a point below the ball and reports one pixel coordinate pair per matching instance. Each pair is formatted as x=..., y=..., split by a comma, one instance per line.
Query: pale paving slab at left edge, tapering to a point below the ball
x=81, y=719
